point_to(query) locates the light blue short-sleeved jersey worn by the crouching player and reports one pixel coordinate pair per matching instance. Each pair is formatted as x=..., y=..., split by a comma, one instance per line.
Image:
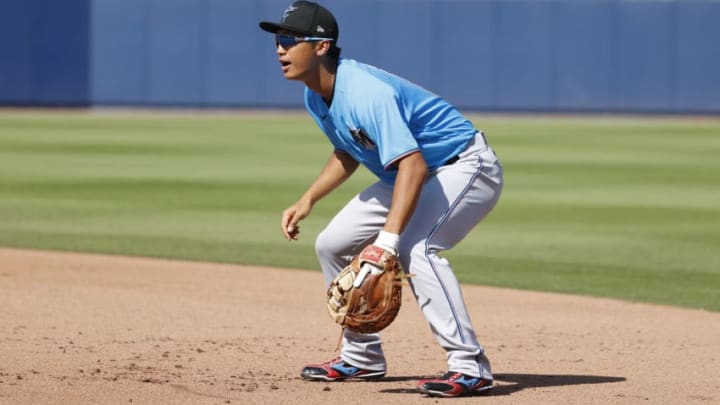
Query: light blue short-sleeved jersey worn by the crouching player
x=378, y=118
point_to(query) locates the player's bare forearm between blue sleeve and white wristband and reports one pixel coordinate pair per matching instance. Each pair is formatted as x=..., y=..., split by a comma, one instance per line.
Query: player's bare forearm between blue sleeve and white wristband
x=412, y=171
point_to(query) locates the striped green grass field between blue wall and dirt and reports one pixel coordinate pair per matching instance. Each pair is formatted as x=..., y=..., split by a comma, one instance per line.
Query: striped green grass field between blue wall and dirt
x=623, y=208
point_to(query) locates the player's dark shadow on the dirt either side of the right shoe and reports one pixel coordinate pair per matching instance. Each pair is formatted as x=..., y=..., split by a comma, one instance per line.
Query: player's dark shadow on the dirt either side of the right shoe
x=519, y=382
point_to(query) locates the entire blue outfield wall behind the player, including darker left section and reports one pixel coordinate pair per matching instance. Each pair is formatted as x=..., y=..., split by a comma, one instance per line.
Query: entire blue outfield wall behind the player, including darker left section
x=503, y=55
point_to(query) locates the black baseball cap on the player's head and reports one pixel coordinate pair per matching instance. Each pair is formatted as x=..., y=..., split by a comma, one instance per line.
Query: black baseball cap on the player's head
x=306, y=18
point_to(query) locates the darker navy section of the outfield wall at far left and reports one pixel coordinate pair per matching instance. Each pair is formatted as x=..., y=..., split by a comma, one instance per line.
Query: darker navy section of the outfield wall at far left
x=44, y=52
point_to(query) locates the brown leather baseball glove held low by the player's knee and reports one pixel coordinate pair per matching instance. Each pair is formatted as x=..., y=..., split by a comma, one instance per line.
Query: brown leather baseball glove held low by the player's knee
x=365, y=297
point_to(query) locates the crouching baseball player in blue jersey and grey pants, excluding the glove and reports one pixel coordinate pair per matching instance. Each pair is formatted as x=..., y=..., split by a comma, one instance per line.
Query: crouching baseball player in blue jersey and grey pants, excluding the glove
x=438, y=178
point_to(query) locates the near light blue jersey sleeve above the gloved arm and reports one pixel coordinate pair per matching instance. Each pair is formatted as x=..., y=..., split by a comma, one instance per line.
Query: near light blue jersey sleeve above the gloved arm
x=382, y=116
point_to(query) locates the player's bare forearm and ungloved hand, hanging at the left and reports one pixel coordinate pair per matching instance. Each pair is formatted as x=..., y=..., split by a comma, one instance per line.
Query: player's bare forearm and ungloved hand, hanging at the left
x=339, y=167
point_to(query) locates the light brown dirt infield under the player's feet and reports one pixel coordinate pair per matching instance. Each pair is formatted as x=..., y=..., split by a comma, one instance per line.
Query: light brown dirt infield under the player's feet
x=87, y=329
